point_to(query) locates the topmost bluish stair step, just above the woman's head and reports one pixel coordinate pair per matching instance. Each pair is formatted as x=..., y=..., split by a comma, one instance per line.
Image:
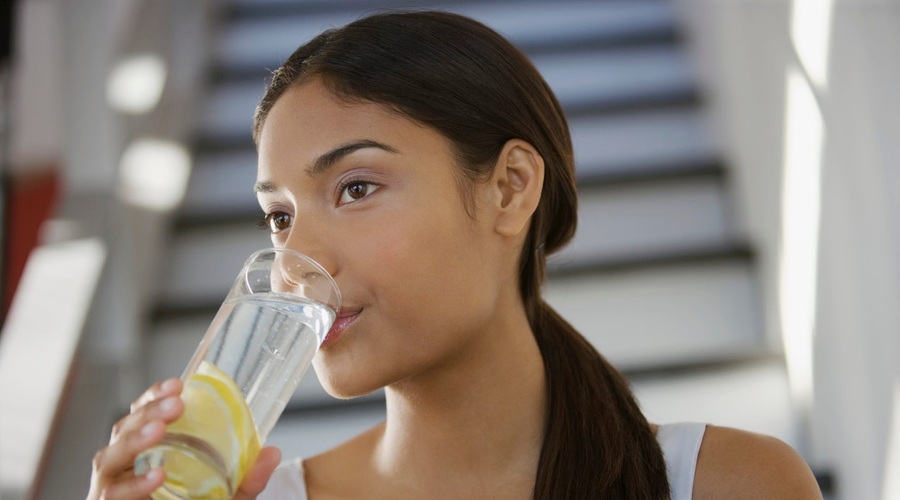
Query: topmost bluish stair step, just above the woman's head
x=265, y=33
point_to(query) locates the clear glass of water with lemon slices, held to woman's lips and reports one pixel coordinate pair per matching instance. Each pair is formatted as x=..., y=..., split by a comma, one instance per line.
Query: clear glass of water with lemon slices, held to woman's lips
x=243, y=373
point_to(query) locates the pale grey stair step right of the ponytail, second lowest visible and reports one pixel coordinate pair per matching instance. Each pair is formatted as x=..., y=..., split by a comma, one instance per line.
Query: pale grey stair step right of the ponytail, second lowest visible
x=664, y=316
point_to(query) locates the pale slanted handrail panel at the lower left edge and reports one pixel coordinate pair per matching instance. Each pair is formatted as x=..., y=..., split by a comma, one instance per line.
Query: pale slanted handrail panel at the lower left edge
x=37, y=351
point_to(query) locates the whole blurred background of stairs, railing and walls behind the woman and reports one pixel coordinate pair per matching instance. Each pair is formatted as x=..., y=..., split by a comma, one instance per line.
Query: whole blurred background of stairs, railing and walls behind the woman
x=737, y=253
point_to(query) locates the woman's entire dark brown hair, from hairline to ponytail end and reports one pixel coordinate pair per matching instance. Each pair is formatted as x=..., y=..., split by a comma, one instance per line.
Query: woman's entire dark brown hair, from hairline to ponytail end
x=470, y=84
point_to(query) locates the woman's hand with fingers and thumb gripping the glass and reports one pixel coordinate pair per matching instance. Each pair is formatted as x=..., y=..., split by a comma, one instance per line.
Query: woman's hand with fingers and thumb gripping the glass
x=113, y=475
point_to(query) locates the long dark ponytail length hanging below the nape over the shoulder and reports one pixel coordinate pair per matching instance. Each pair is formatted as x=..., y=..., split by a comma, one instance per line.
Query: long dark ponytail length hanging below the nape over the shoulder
x=597, y=442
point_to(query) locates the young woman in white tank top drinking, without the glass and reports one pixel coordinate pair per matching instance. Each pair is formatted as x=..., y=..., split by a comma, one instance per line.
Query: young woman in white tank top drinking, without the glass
x=424, y=162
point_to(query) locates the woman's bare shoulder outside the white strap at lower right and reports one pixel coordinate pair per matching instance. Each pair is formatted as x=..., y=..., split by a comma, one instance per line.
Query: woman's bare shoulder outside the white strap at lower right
x=742, y=465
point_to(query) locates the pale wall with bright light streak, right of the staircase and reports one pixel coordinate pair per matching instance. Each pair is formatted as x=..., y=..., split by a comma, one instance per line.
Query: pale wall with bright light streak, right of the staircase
x=803, y=93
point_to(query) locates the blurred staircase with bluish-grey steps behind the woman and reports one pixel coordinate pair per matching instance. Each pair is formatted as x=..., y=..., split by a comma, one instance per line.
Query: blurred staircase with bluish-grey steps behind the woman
x=658, y=277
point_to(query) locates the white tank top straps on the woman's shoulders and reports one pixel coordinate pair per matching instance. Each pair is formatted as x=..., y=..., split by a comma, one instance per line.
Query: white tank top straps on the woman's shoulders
x=680, y=444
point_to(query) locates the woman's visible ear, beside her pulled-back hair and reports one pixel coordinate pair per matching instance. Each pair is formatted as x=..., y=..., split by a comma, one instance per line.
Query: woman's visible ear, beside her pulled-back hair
x=517, y=182
